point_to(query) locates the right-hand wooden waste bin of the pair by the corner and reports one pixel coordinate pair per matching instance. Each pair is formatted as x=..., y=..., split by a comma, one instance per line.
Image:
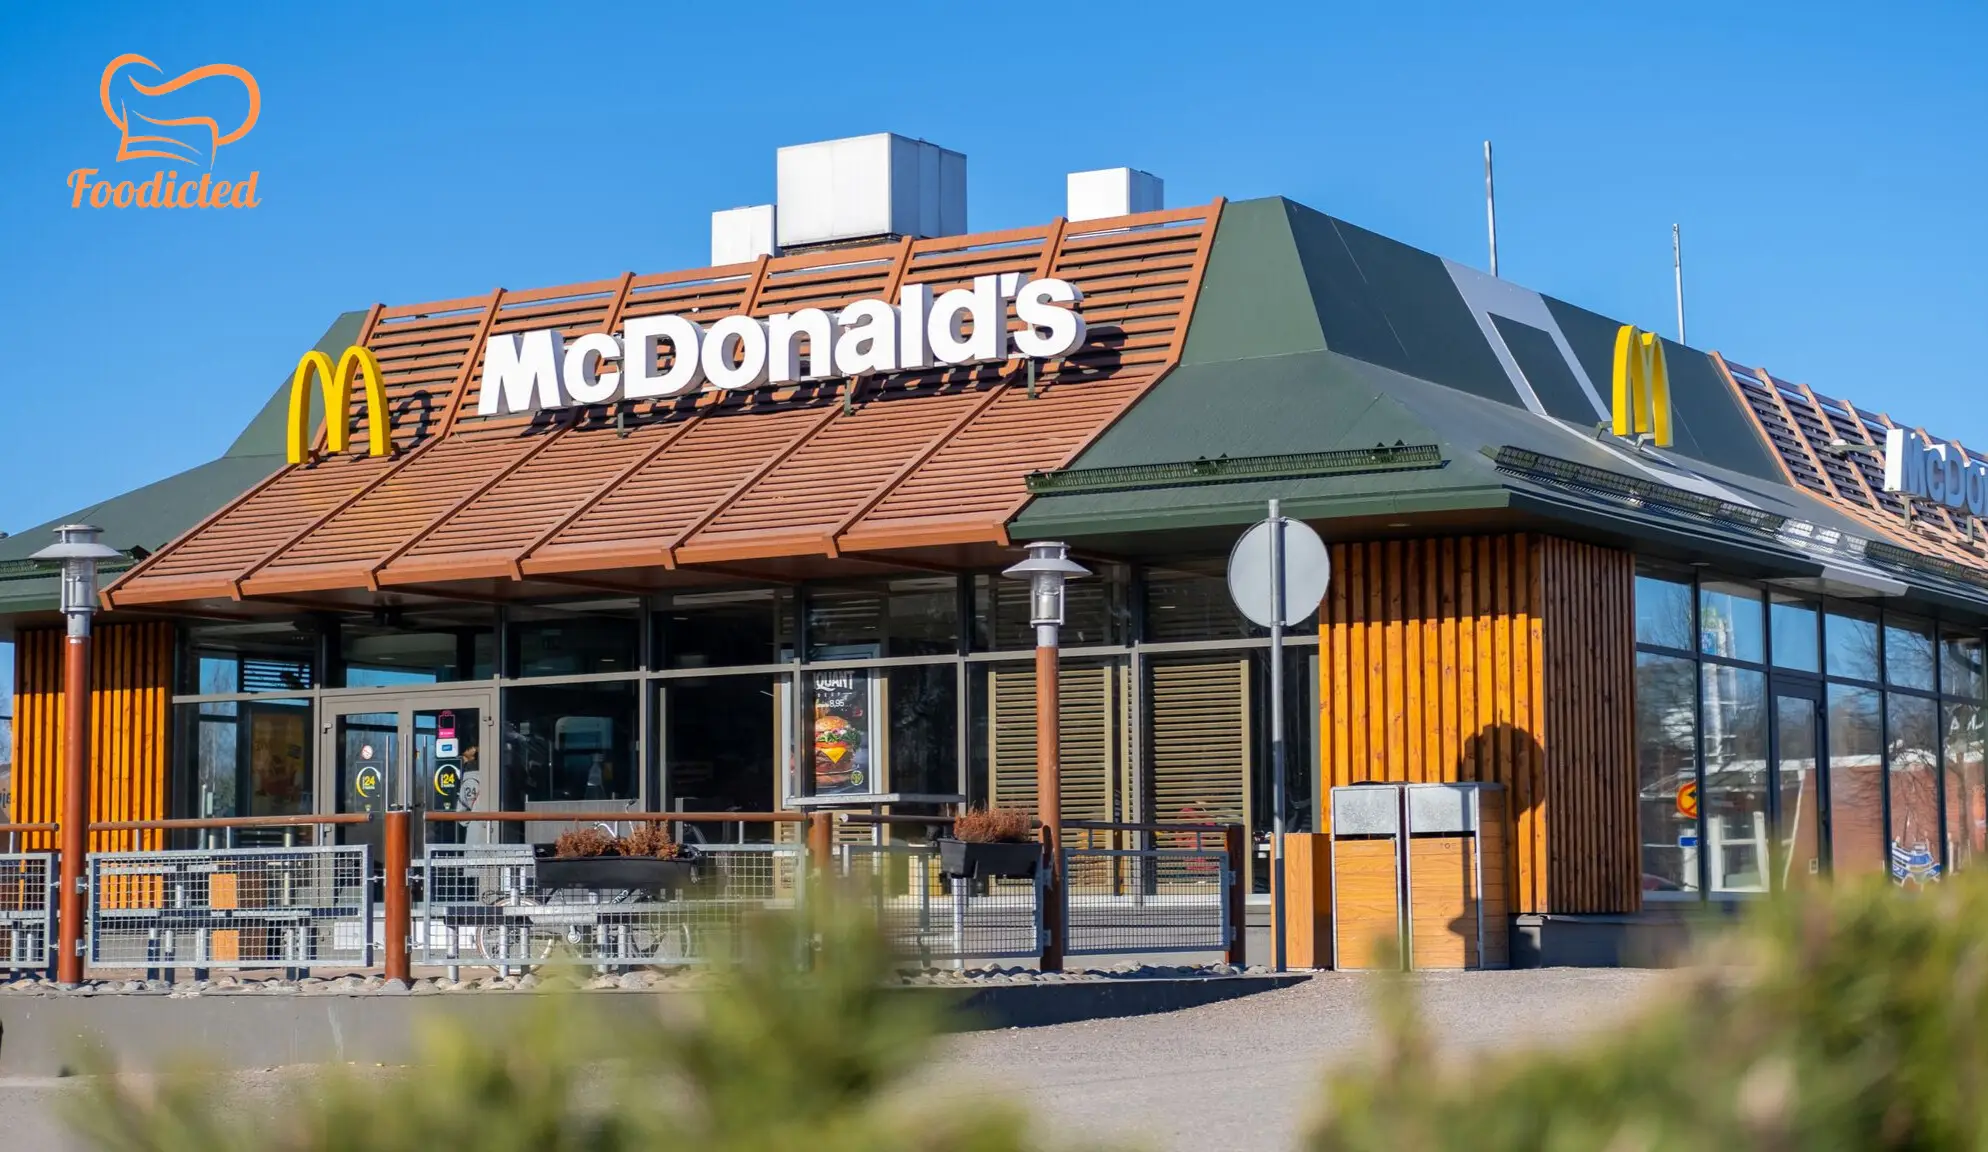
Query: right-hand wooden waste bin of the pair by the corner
x=1454, y=874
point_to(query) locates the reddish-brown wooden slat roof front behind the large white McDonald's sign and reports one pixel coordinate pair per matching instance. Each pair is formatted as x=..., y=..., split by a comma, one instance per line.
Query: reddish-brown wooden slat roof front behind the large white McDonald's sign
x=818, y=471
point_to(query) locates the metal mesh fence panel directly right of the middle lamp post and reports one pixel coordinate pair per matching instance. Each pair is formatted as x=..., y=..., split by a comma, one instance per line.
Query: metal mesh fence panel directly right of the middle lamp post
x=1148, y=900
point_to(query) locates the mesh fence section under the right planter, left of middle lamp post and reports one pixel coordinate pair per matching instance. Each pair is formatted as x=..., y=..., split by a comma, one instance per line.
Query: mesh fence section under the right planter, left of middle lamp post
x=931, y=916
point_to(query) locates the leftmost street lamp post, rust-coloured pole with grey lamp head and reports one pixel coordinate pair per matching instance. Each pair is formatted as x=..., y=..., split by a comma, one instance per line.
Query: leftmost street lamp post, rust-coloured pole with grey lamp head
x=79, y=550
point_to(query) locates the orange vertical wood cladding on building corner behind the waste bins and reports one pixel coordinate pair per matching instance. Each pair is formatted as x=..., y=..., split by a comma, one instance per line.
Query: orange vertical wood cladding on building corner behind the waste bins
x=1506, y=660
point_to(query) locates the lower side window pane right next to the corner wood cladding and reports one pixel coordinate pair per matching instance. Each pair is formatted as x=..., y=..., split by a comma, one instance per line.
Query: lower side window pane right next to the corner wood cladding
x=1667, y=763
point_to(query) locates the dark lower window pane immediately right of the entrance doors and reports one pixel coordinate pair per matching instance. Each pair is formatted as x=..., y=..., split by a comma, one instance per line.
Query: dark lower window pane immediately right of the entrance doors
x=570, y=747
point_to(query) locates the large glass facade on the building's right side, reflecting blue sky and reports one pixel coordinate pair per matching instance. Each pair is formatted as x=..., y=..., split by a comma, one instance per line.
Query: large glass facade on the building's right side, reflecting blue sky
x=1782, y=737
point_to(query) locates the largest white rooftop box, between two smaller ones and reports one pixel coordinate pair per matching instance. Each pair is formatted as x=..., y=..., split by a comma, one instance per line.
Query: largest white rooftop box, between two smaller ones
x=870, y=186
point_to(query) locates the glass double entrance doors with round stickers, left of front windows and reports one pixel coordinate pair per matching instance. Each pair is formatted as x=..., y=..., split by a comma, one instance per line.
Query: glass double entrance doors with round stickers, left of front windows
x=411, y=753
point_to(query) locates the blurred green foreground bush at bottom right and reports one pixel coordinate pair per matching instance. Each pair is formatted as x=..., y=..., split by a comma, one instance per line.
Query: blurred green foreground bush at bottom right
x=1840, y=1020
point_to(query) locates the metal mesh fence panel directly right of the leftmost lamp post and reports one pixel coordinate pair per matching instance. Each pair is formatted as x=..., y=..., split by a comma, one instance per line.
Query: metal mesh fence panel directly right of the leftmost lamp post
x=232, y=908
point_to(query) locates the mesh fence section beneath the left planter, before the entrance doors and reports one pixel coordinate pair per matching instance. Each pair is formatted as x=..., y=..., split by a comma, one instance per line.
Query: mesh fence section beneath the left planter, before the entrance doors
x=492, y=904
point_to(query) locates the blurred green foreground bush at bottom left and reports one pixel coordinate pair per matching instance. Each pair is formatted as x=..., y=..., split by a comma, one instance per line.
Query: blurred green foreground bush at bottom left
x=772, y=1059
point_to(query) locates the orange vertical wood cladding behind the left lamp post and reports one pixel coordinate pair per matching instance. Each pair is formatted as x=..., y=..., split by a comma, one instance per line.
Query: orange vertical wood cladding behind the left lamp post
x=130, y=685
